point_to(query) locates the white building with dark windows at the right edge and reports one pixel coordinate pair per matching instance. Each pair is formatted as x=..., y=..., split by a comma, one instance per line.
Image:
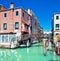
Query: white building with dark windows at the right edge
x=56, y=26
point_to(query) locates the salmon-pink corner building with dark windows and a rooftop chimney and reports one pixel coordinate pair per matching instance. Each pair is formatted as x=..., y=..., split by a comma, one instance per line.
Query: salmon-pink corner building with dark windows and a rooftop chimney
x=13, y=20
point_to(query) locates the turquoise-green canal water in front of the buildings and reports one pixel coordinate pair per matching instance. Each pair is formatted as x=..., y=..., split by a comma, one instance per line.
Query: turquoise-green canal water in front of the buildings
x=33, y=53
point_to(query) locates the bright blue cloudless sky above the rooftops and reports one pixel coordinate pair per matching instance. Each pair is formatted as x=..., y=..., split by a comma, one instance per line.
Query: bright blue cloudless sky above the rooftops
x=43, y=9
